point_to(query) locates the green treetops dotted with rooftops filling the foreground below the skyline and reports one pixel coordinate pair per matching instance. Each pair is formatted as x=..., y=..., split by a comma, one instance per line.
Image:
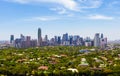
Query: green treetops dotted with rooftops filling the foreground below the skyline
x=55, y=61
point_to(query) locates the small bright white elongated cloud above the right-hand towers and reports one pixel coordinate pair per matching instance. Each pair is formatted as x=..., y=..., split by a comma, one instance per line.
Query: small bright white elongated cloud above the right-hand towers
x=100, y=17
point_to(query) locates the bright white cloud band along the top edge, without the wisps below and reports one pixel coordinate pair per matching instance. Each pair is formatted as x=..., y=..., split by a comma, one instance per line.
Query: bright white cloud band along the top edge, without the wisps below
x=73, y=5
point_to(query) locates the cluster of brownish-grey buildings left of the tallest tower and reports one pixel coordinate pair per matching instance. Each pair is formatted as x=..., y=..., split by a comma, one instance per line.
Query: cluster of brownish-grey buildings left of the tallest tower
x=23, y=41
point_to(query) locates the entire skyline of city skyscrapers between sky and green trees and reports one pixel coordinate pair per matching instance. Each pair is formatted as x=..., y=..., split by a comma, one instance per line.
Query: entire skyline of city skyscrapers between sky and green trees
x=65, y=40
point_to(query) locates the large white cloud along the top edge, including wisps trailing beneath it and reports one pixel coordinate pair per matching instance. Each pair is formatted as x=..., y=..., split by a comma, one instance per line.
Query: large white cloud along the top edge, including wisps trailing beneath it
x=65, y=7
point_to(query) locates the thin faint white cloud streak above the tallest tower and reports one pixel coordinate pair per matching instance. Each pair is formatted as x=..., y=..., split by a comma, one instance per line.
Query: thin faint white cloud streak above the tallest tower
x=45, y=18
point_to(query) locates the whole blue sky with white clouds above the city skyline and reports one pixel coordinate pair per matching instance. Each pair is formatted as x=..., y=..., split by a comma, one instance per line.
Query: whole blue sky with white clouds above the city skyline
x=56, y=17
